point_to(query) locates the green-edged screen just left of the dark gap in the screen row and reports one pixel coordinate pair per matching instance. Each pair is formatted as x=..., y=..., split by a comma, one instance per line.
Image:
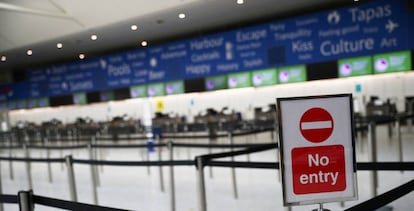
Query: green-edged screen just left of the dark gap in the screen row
x=291, y=74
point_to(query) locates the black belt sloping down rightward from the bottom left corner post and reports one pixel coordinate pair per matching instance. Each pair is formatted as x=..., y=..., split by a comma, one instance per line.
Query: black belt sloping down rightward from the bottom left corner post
x=69, y=205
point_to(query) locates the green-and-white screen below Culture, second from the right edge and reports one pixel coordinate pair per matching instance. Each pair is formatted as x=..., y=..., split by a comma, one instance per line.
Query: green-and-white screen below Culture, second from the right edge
x=355, y=66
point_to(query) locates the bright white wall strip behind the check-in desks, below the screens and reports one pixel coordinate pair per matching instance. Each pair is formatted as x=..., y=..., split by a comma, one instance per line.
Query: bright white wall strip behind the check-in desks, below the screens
x=395, y=86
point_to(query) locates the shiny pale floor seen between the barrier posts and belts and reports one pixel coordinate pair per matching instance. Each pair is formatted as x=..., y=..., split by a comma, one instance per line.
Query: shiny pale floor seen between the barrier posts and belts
x=138, y=188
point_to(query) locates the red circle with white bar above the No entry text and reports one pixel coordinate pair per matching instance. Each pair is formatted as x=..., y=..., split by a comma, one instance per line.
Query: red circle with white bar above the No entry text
x=316, y=125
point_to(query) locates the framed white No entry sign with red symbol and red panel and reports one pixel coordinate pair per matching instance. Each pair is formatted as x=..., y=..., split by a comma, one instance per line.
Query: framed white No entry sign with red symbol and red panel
x=317, y=149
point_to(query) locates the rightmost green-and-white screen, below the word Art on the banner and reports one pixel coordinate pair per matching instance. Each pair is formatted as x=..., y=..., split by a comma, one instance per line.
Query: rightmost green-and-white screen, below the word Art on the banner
x=392, y=62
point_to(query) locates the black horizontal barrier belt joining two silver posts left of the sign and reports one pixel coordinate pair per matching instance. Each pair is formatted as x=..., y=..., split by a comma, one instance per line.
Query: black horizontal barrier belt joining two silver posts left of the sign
x=136, y=163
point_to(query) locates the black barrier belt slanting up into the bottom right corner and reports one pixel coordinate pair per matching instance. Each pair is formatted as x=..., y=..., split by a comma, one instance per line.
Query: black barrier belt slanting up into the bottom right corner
x=384, y=198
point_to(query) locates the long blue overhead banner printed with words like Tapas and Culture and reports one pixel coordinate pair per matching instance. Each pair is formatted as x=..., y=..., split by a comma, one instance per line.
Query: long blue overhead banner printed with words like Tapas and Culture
x=360, y=30
